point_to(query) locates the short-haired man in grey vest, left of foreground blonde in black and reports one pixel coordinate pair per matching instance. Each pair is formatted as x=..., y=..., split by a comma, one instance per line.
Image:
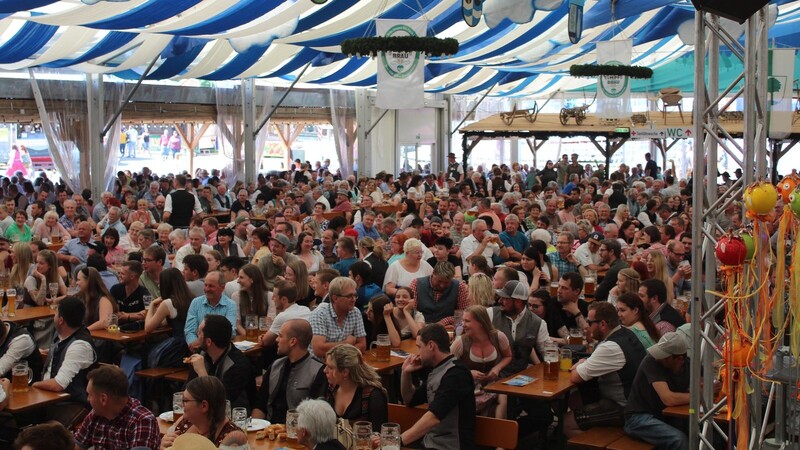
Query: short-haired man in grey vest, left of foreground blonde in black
x=297, y=369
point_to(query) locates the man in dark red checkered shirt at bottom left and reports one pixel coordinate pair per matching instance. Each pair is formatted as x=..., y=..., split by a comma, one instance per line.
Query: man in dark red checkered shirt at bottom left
x=116, y=420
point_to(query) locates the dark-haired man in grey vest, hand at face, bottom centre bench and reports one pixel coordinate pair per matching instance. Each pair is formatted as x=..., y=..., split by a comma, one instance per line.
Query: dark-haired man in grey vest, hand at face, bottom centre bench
x=448, y=389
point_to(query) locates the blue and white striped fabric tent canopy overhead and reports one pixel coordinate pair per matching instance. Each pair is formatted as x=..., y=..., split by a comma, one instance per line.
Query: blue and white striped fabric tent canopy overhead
x=521, y=46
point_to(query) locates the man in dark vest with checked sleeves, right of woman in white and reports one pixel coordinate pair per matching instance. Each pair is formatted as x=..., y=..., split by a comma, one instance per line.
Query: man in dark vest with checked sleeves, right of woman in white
x=440, y=295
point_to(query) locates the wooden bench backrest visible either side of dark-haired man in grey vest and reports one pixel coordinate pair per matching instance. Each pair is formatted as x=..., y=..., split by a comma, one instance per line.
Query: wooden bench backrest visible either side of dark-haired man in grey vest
x=489, y=432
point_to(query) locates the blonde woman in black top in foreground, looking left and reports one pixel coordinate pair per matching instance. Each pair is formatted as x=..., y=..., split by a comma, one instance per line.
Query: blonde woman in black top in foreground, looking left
x=355, y=392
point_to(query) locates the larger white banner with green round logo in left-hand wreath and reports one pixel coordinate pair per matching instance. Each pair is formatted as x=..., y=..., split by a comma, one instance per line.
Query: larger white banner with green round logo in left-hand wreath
x=401, y=75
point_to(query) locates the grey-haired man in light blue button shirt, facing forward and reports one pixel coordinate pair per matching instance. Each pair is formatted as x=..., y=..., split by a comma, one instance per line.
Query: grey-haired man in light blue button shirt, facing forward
x=214, y=302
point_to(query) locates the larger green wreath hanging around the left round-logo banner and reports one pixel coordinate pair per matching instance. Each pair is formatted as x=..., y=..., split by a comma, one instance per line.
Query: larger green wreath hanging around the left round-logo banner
x=371, y=46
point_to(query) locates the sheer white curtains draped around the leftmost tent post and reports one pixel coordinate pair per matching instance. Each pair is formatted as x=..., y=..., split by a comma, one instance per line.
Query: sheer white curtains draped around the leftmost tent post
x=65, y=123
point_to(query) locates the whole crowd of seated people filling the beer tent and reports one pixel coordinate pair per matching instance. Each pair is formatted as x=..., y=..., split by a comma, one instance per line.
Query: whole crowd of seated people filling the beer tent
x=484, y=269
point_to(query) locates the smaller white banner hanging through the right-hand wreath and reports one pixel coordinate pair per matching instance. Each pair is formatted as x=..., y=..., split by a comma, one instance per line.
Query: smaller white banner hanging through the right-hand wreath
x=614, y=92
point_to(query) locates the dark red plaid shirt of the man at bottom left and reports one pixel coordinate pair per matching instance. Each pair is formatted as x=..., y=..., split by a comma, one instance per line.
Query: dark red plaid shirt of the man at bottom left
x=135, y=426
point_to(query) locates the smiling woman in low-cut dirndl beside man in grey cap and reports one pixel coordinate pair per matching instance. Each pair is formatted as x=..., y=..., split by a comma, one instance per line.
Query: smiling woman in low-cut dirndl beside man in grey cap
x=486, y=351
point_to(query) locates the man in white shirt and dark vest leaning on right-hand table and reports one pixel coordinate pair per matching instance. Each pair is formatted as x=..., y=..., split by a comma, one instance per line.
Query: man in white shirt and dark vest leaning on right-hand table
x=605, y=378
